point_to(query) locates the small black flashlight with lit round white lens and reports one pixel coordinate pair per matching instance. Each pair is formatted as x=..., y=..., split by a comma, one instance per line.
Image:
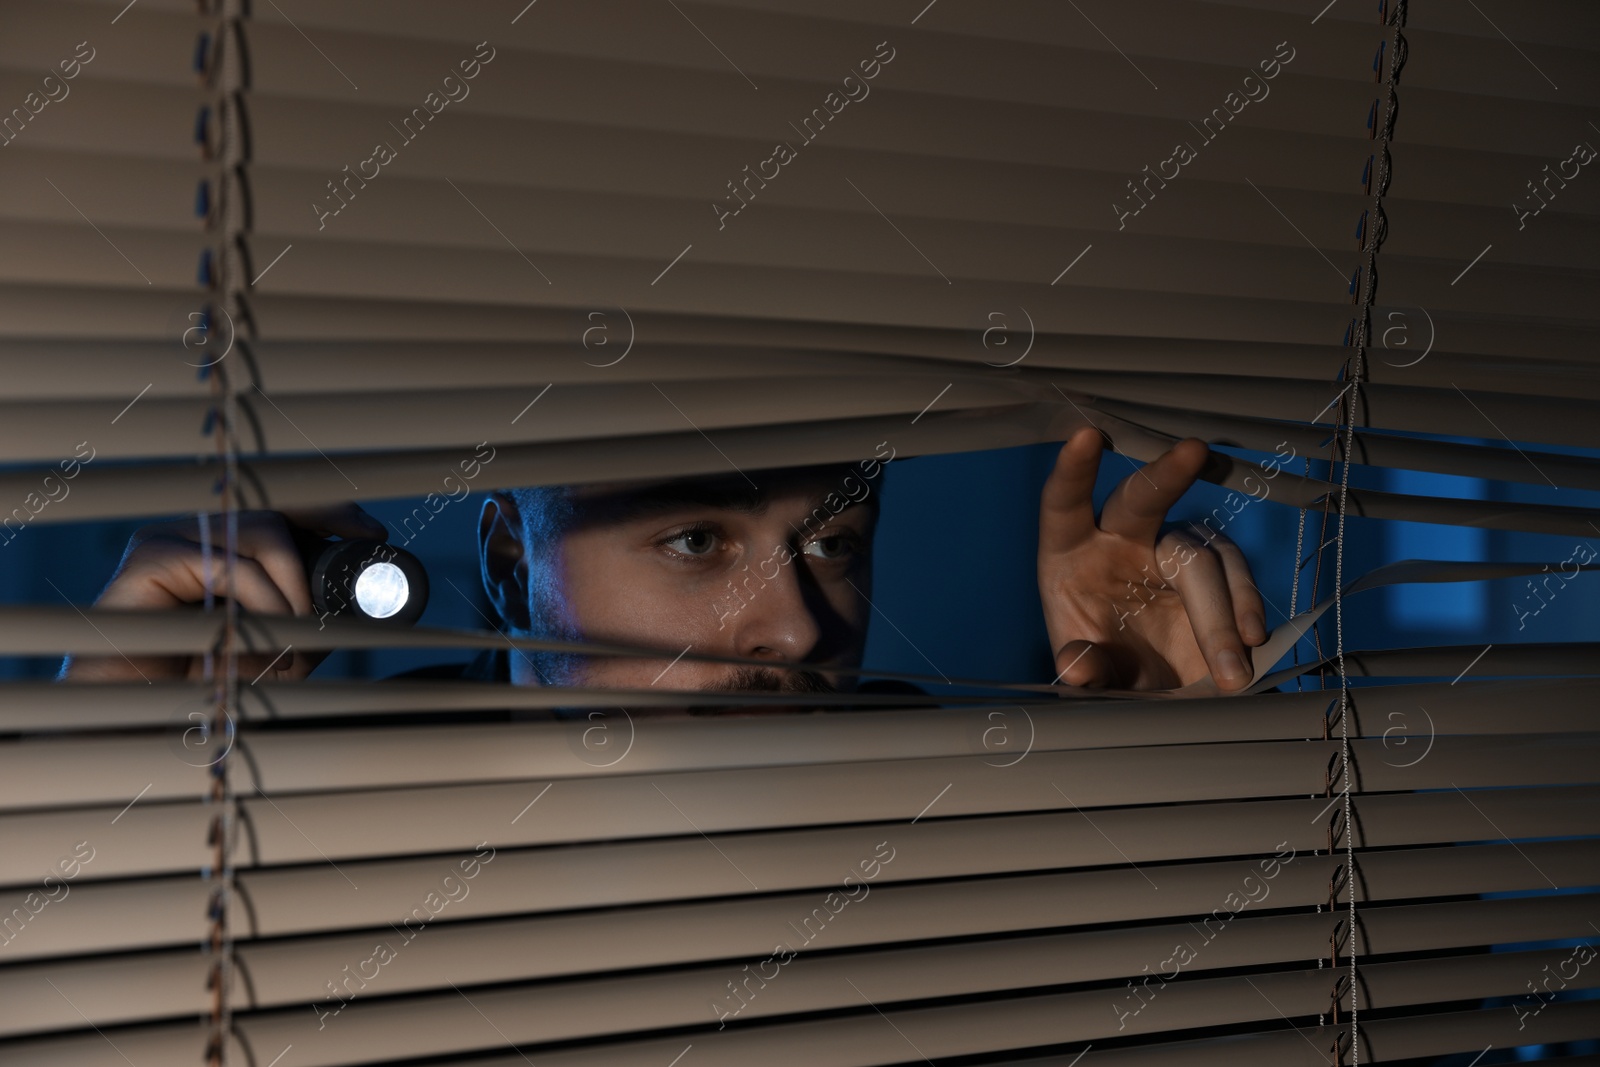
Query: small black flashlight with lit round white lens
x=364, y=580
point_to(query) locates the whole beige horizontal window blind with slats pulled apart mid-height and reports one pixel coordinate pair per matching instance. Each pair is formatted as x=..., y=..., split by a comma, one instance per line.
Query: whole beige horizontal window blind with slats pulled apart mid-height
x=983, y=234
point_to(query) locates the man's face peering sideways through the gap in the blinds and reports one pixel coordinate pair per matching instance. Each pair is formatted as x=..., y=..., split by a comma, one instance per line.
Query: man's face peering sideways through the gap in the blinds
x=708, y=567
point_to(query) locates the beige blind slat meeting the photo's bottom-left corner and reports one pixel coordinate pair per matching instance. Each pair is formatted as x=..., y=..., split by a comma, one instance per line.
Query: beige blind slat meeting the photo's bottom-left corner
x=450, y=1025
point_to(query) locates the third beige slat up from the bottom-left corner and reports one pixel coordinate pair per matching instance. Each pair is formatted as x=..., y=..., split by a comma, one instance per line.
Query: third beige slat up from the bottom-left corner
x=319, y=900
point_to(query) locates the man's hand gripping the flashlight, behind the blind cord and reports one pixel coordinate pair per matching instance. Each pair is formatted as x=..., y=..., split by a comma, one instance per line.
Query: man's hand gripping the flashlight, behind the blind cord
x=166, y=569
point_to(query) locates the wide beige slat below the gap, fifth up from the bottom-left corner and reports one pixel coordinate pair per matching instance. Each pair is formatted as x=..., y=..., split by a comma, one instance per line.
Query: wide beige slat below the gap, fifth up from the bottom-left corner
x=162, y=767
